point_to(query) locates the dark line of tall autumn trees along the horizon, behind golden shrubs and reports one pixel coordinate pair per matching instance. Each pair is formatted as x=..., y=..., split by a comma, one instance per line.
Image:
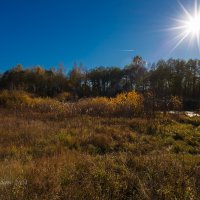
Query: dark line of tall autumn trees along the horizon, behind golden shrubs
x=158, y=82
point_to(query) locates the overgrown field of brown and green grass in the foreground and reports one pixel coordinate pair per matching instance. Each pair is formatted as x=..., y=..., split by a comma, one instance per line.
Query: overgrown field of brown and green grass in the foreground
x=44, y=155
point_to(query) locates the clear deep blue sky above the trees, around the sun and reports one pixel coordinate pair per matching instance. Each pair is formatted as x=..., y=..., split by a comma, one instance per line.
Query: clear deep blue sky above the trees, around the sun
x=91, y=32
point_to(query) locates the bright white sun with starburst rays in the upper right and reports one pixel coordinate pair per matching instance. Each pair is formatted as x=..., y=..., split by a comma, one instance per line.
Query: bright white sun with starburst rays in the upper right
x=188, y=26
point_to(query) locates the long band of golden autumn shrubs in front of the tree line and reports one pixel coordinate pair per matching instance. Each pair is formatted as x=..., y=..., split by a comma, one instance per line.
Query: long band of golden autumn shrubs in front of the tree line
x=129, y=104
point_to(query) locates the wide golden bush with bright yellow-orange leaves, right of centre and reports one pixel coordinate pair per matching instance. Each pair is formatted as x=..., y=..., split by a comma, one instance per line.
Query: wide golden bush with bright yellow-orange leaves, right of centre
x=125, y=104
